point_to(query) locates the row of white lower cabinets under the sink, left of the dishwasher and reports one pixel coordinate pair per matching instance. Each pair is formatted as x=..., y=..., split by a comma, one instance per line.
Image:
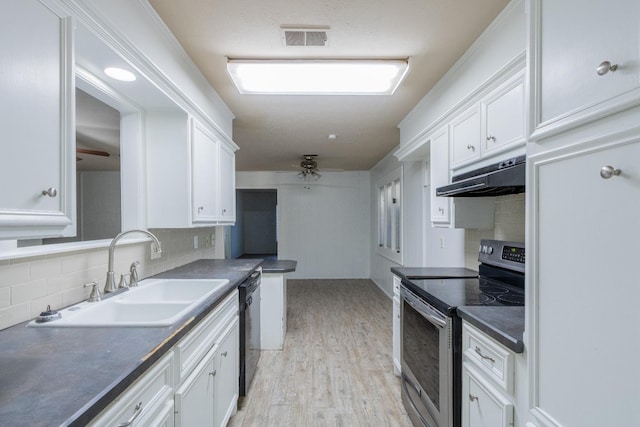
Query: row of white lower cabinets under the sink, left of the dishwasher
x=194, y=384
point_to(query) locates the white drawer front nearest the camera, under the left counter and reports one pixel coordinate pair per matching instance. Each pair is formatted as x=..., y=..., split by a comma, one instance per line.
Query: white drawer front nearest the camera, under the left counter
x=145, y=399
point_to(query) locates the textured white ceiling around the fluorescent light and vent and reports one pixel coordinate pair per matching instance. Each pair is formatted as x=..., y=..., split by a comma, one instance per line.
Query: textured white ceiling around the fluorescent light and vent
x=274, y=130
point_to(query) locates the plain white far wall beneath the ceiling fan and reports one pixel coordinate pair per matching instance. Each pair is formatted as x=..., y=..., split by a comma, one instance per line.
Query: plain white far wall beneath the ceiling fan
x=324, y=225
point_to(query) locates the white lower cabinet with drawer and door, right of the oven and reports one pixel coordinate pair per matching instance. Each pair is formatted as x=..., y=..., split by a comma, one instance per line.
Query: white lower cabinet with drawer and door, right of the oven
x=487, y=381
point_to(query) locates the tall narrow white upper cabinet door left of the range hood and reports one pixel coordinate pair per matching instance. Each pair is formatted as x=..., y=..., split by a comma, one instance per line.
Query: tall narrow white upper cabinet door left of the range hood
x=440, y=206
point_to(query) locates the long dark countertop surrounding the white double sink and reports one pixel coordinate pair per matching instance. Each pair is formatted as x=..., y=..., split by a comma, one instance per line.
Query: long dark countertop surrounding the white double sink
x=53, y=376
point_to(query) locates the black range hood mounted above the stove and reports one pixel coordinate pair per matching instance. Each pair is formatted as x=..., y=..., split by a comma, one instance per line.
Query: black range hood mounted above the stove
x=499, y=179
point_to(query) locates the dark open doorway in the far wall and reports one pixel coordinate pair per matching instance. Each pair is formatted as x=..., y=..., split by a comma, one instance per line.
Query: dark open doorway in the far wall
x=255, y=234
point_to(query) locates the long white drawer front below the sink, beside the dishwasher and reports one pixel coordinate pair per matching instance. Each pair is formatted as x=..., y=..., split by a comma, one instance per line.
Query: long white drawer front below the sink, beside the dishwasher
x=190, y=350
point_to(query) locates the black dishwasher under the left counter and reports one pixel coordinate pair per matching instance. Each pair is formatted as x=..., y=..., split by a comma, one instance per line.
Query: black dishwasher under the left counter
x=249, y=329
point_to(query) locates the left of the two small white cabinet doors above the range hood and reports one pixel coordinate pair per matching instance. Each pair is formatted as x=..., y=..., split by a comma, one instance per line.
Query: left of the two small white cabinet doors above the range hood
x=465, y=137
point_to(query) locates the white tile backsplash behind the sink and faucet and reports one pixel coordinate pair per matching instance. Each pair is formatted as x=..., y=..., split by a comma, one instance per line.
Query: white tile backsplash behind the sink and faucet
x=28, y=285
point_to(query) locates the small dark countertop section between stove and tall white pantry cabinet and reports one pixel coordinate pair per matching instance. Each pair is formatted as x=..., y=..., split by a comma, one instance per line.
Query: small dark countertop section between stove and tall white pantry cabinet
x=504, y=324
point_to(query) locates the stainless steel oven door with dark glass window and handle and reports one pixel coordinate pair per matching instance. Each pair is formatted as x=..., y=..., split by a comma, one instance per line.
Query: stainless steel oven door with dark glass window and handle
x=427, y=362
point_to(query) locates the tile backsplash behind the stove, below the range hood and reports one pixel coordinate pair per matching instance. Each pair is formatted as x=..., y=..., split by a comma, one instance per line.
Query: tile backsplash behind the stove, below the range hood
x=509, y=225
